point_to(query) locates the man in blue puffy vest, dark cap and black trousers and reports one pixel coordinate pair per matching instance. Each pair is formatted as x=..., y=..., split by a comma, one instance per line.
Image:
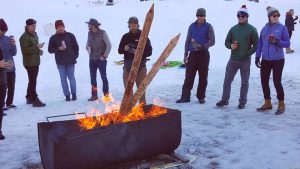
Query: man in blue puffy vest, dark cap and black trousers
x=199, y=38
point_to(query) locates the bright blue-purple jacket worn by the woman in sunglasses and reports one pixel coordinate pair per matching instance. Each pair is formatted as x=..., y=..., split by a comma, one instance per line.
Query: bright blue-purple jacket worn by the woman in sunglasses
x=270, y=51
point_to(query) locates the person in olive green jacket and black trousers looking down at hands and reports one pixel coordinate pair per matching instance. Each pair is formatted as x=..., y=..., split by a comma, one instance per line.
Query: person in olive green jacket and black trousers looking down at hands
x=31, y=51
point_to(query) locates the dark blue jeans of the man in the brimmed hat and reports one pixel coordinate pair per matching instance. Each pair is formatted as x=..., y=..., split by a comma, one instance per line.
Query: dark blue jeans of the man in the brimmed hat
x=94, y=66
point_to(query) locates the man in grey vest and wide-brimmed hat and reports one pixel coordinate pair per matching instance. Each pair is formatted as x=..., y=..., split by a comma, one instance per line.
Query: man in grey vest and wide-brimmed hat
x=98, y=47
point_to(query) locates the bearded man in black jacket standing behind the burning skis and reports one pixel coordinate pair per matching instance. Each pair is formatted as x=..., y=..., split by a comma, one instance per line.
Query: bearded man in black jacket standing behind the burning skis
x=128, y=46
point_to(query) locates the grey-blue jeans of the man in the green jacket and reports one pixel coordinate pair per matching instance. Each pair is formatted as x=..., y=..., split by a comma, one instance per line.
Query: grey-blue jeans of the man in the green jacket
x=231, y=69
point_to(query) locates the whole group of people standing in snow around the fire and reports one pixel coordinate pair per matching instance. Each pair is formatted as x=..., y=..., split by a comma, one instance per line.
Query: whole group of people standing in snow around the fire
x=242, y=40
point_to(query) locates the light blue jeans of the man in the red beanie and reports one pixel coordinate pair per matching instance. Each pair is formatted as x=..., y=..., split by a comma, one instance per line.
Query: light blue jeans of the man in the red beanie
x=67, y=71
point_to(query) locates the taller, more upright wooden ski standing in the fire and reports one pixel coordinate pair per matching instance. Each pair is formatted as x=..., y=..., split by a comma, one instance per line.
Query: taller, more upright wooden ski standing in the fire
x=137, y=60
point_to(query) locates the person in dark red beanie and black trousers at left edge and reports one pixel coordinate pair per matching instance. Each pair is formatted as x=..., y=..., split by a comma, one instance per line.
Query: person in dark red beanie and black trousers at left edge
x=9, y=49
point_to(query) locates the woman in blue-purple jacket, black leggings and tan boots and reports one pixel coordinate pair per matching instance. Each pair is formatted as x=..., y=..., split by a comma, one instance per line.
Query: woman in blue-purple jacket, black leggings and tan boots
x=273, y=38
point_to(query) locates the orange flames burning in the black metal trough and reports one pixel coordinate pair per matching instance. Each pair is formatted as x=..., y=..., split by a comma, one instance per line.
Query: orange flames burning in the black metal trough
x=112, y=116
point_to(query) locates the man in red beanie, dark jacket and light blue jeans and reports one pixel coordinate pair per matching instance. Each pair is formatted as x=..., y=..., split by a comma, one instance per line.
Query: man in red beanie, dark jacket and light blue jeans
x=65, y=47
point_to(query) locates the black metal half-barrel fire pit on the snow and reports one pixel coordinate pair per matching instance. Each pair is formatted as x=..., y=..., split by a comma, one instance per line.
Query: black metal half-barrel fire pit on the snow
x=64, y=145
